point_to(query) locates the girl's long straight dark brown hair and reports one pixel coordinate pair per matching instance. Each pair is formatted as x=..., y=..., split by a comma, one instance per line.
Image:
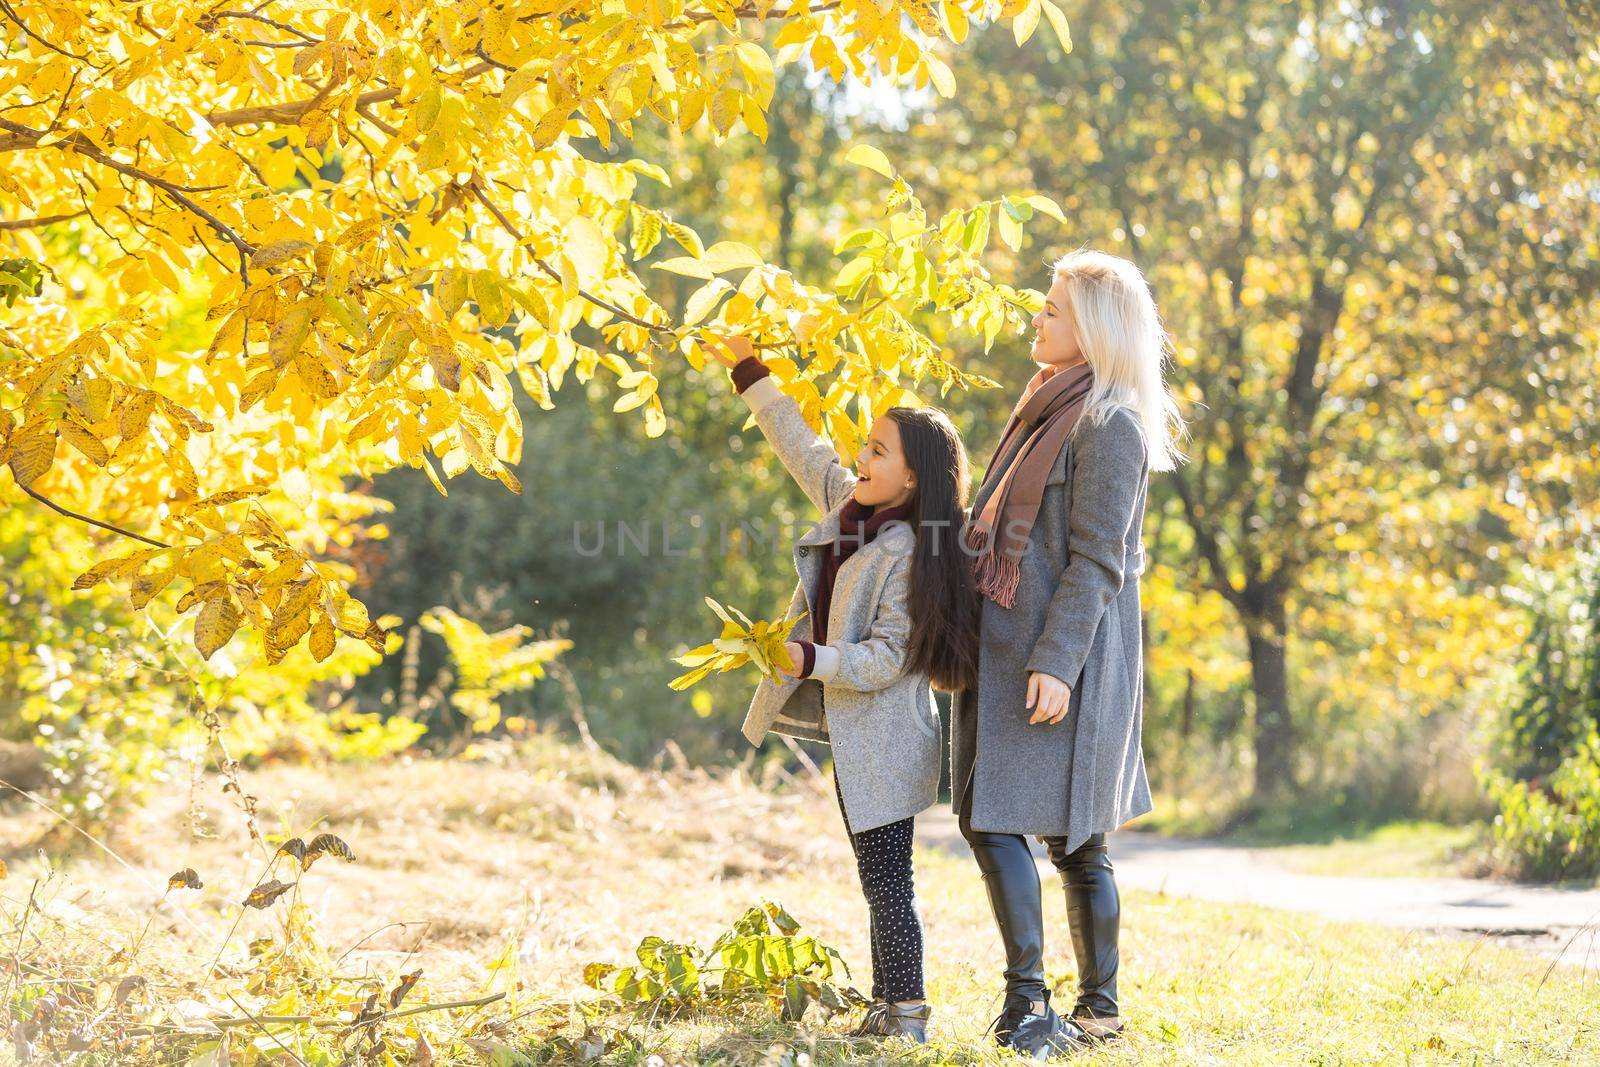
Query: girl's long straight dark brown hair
x=943, y=593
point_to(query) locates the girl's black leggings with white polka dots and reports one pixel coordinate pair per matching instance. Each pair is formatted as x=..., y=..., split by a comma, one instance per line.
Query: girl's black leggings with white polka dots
x=884, y=866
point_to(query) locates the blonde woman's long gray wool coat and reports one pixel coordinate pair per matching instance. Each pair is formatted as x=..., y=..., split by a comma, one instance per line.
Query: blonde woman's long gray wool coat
x=1076, y=618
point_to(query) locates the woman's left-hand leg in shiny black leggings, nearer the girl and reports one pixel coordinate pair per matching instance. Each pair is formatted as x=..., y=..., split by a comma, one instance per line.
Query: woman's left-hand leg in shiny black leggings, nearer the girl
x=1012, y=882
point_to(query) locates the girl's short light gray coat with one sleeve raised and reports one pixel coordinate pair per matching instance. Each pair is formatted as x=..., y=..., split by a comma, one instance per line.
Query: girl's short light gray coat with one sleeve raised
x=882, y=724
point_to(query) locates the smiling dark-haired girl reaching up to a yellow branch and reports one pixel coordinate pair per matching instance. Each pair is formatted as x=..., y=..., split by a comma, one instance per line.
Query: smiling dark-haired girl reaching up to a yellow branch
x=892, y=612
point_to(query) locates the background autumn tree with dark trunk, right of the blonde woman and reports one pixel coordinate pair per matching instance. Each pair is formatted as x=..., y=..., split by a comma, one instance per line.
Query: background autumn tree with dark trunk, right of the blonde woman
x=1374, y=234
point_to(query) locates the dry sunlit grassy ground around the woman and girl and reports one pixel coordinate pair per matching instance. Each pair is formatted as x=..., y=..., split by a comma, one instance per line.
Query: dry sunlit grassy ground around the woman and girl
x=513, y=873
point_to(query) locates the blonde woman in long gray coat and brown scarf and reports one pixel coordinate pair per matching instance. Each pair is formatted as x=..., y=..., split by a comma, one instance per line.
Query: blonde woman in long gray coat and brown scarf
x=1049, y=740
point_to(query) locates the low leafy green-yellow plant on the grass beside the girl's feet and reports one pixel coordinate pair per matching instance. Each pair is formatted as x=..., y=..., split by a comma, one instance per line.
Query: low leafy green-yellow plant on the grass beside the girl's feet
x=761, y=959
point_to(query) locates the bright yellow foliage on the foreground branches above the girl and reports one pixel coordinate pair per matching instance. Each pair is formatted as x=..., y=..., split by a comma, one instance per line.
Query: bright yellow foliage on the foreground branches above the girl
x=337, y=300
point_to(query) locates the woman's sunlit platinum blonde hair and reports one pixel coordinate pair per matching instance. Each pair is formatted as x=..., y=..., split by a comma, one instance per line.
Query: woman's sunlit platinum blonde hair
x=1126, y=345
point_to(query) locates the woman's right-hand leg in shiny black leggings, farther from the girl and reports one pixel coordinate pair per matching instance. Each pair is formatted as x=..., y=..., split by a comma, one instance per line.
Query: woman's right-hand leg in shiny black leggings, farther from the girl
x=1095, y=917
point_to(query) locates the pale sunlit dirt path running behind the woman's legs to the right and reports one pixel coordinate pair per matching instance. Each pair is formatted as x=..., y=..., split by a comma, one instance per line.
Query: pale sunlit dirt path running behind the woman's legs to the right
x=1558, y=924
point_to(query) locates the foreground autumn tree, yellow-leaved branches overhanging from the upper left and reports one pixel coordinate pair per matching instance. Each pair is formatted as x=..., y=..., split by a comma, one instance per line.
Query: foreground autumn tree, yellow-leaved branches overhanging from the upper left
x=388, y=214
